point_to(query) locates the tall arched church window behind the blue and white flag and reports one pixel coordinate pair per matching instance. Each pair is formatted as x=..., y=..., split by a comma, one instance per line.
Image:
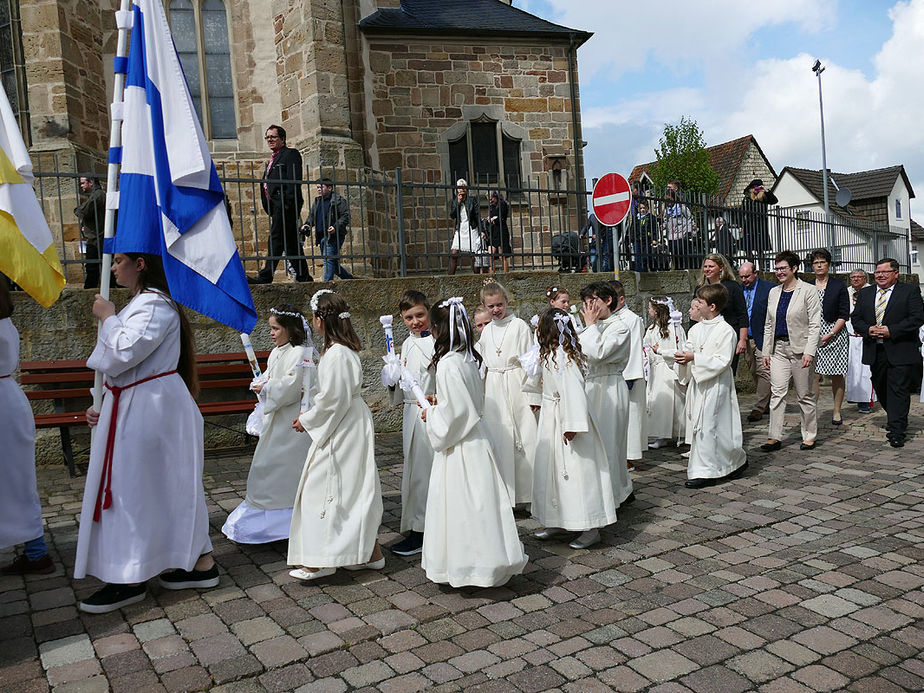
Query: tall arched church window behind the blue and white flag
x=200, y=33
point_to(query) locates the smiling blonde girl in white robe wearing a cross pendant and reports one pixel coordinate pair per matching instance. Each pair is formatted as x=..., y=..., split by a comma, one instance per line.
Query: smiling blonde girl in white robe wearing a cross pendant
x=511, y=422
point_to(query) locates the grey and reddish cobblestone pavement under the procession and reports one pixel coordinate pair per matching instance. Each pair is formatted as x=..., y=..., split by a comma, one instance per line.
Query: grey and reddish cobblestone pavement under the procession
x=805, y=575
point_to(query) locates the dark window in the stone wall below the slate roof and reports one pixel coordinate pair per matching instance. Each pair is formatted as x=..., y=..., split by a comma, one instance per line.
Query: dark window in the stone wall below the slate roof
x=486, y=155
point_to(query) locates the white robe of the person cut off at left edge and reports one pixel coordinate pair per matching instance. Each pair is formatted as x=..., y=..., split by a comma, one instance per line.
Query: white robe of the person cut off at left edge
x=20, y=508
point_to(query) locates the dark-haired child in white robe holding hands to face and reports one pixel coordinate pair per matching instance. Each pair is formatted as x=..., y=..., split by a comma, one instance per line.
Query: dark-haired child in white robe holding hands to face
x=605, y=344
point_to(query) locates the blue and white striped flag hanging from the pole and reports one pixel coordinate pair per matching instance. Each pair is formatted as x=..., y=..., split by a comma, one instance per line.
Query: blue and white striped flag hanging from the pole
x=170, y=199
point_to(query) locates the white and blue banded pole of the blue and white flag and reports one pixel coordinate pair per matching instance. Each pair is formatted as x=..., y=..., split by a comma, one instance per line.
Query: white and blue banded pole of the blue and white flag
x=124, y=22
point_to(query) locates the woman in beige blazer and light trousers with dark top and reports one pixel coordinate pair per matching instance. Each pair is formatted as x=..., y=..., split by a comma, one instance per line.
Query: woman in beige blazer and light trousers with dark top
x=791, y=334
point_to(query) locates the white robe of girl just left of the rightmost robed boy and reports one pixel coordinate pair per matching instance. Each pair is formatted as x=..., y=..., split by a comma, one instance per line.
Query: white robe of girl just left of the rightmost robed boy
x=666, y=396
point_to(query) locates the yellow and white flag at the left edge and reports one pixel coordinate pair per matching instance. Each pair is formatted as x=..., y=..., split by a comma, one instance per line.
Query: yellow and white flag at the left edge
x=27, y=251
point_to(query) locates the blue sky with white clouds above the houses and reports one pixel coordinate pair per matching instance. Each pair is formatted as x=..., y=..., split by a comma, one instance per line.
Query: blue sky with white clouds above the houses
x=741, y=68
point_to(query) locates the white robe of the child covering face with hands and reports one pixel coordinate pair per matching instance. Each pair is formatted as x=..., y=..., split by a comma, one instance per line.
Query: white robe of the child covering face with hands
x=606, y=346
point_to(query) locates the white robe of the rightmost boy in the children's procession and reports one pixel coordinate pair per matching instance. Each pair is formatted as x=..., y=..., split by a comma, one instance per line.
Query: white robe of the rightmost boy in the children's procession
x=713, y=418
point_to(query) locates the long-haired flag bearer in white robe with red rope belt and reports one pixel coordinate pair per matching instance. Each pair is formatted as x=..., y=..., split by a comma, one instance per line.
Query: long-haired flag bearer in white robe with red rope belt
x=144, y=505
